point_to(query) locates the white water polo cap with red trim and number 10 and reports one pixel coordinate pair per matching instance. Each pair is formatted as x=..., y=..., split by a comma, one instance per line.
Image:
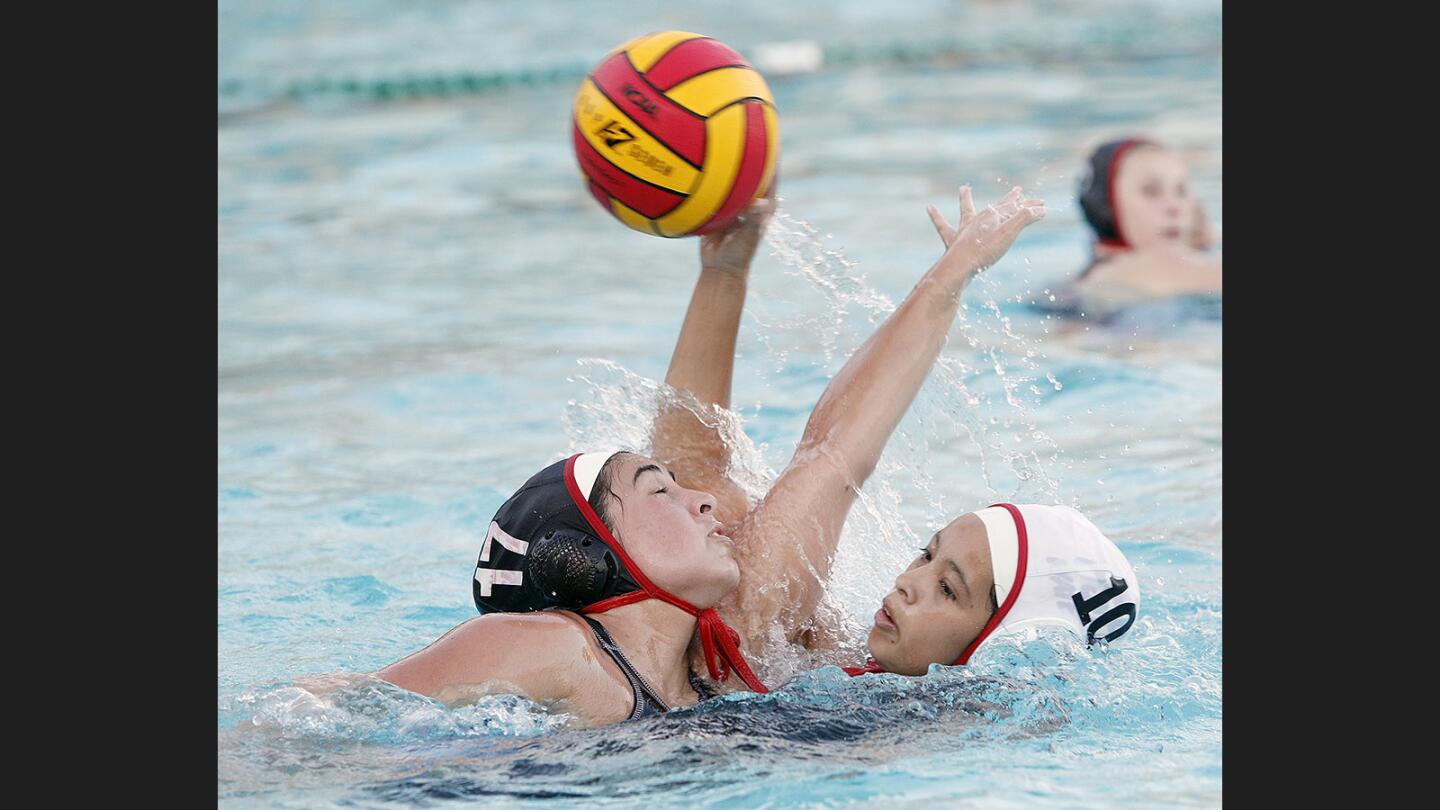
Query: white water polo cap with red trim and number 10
x=1053, y=567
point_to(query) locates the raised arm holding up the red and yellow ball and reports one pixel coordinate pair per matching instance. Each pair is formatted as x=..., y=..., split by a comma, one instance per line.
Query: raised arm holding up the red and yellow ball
x=703, y=364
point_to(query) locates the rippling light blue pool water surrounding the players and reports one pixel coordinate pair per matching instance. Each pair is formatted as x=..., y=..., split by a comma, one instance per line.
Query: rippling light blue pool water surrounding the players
x=420, y=306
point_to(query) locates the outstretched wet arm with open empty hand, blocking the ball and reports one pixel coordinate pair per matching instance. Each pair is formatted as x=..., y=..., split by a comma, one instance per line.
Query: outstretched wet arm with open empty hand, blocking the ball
x=790, y=538
